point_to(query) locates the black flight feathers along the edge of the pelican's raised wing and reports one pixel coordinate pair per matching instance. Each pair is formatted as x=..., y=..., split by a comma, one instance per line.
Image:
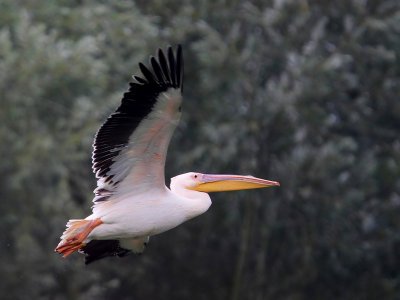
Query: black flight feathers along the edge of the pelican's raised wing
x=136, y=104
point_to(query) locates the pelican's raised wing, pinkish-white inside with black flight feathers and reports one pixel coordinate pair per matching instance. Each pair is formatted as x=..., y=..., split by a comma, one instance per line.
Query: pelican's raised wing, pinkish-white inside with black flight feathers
x=130, y=148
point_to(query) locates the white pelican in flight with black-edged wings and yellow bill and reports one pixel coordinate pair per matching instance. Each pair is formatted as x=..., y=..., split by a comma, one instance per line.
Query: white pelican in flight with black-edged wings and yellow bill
x=131, y=200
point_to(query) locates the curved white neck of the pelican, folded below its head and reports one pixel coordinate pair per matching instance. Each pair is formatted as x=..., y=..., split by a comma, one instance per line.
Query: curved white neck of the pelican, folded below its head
x=196, y=202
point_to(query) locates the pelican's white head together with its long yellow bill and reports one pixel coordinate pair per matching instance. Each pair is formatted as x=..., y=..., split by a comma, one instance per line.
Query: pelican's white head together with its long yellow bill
x=219, y=182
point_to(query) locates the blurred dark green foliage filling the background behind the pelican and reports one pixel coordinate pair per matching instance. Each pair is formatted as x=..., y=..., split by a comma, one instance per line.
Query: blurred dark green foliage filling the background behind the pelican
x=304, y=92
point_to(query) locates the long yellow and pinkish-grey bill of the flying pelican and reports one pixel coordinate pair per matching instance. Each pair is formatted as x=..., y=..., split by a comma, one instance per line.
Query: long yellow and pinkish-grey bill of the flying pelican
x=221, y=183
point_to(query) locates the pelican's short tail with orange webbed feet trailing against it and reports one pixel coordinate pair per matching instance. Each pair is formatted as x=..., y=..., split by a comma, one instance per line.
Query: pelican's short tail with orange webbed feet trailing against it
x=75, y=235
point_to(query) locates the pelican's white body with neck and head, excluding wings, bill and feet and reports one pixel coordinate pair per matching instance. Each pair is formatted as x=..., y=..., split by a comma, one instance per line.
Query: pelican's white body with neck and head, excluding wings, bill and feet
x=137, y=215
